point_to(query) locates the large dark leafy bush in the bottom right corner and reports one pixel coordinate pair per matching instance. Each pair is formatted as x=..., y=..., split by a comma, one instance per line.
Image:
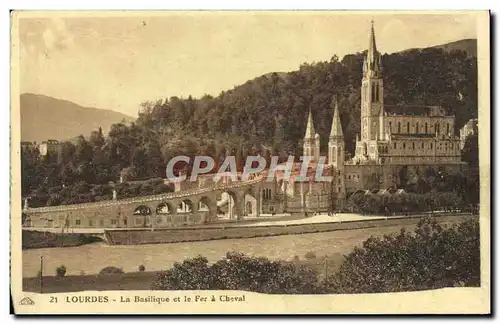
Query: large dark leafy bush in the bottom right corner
x=431, y=257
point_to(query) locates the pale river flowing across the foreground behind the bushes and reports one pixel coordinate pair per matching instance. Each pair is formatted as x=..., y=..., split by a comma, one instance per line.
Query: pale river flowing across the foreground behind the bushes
x=91, y=258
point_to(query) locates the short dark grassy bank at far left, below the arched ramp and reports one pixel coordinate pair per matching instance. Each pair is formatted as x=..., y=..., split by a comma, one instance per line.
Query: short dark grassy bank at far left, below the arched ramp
x=37, y=239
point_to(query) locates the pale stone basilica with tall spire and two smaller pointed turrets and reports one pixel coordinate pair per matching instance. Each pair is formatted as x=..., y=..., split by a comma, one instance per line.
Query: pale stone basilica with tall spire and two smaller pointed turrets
x=389, y=140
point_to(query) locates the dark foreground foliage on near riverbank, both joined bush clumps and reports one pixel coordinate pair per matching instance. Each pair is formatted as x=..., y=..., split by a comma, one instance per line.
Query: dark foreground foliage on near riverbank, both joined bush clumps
x=431, y=257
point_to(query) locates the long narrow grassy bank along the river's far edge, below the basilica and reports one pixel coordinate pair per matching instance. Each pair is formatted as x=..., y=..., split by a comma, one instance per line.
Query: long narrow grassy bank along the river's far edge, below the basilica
x=124, y=237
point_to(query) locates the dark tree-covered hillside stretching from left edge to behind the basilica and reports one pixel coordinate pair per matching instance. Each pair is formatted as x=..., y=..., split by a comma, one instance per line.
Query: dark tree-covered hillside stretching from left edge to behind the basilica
x=265, y=115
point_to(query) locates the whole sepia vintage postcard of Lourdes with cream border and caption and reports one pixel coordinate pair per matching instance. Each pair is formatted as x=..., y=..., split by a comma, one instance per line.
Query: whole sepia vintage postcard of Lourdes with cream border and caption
x=239, y=162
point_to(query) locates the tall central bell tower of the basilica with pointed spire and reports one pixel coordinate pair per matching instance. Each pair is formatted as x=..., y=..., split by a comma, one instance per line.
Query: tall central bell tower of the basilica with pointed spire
x=372, y=93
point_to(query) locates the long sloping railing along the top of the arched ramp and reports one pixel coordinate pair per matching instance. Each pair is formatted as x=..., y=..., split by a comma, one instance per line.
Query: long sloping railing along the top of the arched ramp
x=141, y=199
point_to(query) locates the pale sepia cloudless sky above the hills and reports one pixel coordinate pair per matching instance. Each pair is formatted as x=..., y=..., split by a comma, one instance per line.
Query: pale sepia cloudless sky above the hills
x=116, y=63
